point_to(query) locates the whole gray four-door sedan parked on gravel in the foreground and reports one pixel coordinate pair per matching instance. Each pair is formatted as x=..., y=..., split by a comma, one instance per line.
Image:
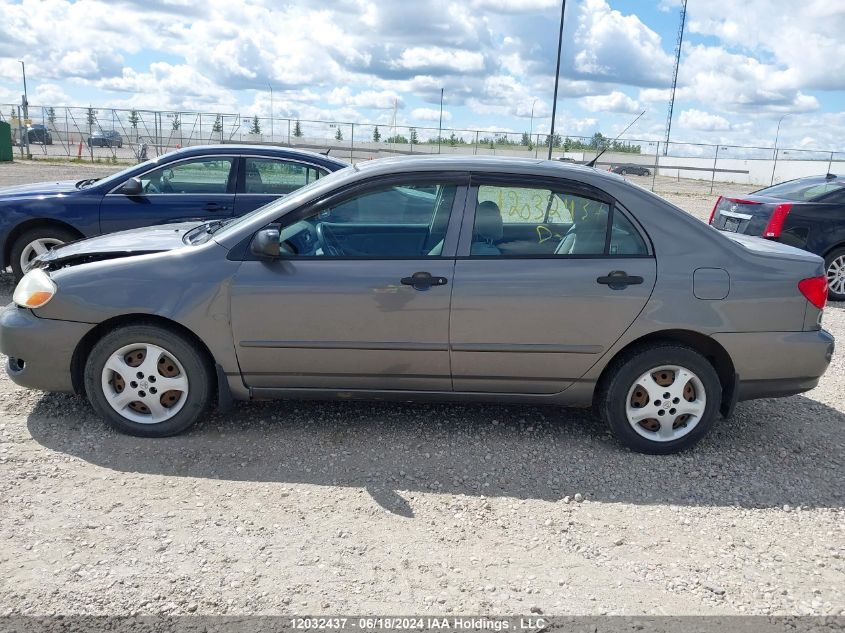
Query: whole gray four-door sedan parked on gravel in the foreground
x=463, y=279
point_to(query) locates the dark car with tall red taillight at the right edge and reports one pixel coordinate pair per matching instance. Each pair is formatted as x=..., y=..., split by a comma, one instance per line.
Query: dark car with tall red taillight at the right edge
x=808, y=213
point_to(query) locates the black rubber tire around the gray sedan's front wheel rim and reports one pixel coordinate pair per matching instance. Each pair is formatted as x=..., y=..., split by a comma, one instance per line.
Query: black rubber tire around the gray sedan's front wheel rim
x=196, y=367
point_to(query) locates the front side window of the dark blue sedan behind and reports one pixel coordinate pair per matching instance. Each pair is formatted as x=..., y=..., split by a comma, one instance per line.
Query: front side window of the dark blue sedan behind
x=202, y=175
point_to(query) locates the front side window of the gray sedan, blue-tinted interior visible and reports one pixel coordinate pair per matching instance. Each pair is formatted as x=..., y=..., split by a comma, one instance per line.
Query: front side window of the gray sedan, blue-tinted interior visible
x=397, y=221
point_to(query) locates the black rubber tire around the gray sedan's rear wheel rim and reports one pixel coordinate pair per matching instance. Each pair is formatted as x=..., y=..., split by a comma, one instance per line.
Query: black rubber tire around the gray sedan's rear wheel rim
x=623, y=375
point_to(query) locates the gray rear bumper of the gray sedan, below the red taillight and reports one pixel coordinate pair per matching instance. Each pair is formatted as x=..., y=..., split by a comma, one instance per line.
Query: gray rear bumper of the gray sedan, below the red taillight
x=775, y=364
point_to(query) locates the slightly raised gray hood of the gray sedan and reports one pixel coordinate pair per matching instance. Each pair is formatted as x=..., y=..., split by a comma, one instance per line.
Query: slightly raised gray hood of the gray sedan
x=144, y=241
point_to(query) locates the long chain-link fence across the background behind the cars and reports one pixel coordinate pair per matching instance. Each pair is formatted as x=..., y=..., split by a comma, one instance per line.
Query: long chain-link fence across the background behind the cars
x=122, y=136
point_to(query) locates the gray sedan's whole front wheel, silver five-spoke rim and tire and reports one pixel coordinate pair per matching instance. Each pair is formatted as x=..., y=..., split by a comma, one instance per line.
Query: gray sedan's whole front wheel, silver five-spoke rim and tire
x=148, y=381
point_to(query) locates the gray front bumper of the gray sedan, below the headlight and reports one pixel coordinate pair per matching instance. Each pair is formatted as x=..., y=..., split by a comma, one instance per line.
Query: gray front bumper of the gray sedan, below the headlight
x=40, y=351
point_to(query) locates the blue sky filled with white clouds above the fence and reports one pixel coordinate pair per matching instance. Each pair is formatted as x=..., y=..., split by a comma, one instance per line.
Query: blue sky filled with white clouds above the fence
x=744, y=64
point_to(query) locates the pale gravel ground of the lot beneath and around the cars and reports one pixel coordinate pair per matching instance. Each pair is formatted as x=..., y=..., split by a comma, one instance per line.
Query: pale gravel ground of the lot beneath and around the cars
x=296, y=507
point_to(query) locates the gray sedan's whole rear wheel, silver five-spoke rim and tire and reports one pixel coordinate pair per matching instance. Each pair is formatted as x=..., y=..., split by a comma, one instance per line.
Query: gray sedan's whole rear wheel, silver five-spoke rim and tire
x=661, y=399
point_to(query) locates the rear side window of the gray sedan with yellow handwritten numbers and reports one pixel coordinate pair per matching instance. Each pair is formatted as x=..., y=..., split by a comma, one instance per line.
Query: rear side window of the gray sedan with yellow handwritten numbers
x=527, y=221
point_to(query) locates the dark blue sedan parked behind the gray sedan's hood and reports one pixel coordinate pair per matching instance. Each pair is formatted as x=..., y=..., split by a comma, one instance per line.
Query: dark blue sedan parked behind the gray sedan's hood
x=197, y=183
